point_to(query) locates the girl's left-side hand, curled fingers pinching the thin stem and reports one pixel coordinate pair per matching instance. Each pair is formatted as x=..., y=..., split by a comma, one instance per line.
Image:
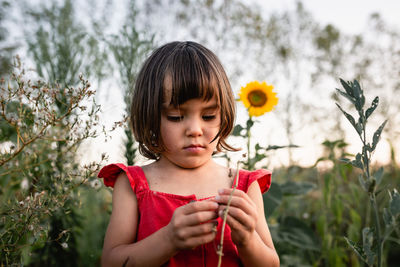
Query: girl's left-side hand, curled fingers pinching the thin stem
x=191, y=225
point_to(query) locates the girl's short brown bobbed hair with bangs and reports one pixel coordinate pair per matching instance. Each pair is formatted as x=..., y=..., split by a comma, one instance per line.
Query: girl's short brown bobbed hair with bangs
x=194, y=72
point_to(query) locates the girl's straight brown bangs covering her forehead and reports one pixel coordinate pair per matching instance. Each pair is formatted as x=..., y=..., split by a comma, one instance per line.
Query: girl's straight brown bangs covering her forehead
x=190, y=75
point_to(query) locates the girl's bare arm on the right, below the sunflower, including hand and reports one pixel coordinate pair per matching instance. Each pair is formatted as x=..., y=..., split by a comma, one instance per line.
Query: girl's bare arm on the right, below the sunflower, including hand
x=250, y=231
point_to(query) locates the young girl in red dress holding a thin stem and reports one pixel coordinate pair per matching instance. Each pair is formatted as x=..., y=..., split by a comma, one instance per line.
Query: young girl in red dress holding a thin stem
x=169, y=211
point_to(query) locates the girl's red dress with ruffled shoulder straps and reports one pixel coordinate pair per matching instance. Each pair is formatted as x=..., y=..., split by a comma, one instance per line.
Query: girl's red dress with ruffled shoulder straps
x=156, y=209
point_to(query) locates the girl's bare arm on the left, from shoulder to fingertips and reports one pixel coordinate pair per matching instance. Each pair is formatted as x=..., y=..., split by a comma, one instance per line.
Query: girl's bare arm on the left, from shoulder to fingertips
x=183, y=231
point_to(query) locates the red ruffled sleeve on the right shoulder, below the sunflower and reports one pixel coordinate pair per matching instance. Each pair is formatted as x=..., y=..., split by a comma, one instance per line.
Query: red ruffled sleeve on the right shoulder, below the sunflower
x=262, y=176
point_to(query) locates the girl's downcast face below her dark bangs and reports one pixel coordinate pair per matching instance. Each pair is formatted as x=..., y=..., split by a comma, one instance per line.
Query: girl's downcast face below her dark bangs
x=187, y=132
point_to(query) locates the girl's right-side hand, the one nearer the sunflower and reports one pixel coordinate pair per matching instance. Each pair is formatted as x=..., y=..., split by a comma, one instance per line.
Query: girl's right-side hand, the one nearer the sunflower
x=242, y=215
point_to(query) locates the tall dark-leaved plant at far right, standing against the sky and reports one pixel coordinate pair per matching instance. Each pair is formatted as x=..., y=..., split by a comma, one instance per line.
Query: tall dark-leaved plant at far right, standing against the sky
x=375, y=236
